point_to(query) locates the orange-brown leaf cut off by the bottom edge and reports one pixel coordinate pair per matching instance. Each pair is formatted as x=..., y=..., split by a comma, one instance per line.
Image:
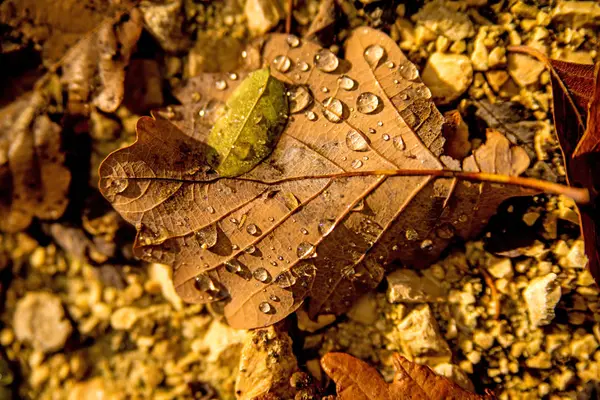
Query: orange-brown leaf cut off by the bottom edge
x=357, y=380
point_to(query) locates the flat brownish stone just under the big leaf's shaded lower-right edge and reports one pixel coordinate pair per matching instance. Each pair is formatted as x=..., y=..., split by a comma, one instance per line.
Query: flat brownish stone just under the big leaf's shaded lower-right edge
x=406, y=286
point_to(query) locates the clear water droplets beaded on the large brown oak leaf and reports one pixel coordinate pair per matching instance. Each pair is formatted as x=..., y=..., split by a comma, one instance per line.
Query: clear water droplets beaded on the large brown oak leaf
x=299, y=99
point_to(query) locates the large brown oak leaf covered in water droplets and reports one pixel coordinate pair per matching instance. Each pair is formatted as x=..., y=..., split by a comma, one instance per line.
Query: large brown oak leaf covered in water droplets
x=320, y=218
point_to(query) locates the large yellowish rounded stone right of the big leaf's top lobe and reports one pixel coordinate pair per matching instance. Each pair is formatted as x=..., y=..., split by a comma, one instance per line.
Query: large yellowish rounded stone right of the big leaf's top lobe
x=447, y=76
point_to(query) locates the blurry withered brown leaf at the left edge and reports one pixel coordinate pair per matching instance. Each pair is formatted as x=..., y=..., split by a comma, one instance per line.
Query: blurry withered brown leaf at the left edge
x=33, y=180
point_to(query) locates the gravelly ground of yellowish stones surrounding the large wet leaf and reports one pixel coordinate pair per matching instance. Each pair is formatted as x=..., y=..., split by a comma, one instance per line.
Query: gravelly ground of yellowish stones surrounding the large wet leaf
x=514, y=311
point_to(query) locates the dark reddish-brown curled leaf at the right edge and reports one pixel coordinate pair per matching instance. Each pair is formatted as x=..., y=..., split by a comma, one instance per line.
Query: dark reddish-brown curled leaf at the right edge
x=575, y=92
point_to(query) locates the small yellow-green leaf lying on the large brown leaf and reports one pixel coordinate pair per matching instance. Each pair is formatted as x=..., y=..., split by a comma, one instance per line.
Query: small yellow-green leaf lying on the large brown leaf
x=255, y=116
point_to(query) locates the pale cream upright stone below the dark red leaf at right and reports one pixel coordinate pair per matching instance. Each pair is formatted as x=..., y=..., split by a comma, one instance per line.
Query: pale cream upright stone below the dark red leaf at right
x=541, y=296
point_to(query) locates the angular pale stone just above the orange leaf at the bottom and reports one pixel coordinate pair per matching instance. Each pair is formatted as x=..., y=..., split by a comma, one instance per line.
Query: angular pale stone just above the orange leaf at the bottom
x=420, y=335
